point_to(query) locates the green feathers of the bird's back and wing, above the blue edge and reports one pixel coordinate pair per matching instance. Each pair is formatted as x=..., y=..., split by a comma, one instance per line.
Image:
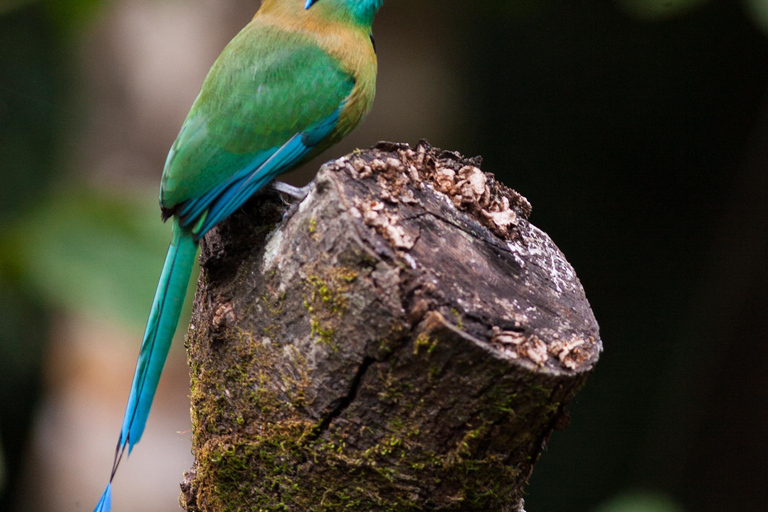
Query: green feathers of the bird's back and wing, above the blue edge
x=267, y=85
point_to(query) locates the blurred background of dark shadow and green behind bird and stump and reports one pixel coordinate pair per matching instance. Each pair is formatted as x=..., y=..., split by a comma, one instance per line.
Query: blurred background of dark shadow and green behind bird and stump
x=638, y=129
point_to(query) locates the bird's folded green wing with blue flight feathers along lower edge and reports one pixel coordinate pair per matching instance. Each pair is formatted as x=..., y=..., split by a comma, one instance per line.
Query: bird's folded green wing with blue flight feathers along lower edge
x=272, y=99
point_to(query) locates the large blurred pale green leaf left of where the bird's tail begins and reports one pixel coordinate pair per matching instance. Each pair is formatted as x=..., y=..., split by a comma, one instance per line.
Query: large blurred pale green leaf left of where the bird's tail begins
x=91, y=253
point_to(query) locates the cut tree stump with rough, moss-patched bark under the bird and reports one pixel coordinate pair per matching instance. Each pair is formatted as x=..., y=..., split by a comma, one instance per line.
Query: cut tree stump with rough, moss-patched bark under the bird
x=404, y=340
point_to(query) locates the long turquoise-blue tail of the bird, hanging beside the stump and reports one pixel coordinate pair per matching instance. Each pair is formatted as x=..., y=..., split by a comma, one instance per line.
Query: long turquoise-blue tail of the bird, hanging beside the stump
x=161, y=326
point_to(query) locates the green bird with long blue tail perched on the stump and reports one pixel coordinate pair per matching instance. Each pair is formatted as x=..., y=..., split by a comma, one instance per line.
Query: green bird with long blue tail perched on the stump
x=293, y=82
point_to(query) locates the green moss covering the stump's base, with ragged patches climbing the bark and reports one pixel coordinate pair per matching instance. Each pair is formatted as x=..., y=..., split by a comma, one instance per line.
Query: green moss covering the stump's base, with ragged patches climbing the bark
x=265, y=468
